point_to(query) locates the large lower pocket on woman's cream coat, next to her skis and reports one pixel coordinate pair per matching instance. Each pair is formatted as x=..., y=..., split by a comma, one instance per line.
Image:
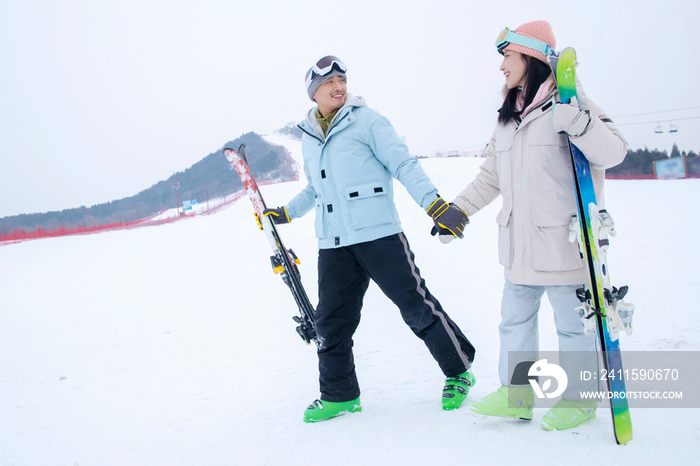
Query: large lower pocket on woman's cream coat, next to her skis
x=551, y=249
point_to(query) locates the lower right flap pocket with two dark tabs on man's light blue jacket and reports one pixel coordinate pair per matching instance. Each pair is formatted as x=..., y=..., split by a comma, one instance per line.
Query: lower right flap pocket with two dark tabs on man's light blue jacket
x=369, y=205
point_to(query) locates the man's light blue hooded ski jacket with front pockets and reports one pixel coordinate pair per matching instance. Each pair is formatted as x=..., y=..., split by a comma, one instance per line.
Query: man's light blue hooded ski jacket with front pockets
x=350, y=176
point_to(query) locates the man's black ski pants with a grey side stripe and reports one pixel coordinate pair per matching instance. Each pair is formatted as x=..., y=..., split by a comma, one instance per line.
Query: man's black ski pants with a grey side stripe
x=343, y=278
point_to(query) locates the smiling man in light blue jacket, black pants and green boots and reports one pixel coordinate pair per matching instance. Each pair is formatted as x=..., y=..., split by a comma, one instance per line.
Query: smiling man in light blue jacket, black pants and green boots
x=351, y=153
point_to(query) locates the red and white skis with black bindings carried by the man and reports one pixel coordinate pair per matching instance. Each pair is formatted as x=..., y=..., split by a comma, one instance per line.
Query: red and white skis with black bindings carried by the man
x=284, y=261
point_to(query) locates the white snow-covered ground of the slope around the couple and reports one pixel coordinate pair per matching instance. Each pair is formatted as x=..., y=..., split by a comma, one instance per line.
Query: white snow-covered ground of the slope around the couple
x=174, y=345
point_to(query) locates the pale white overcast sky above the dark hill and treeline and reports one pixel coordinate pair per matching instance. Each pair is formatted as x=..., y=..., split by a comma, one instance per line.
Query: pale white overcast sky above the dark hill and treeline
x=100, y=100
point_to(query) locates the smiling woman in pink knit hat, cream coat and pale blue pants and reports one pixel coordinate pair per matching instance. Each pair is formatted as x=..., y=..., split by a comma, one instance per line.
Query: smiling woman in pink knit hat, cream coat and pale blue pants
x=527, y=162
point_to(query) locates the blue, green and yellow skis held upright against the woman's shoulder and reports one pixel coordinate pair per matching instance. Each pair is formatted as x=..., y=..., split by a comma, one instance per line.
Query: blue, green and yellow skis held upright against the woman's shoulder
x=602, y=310
